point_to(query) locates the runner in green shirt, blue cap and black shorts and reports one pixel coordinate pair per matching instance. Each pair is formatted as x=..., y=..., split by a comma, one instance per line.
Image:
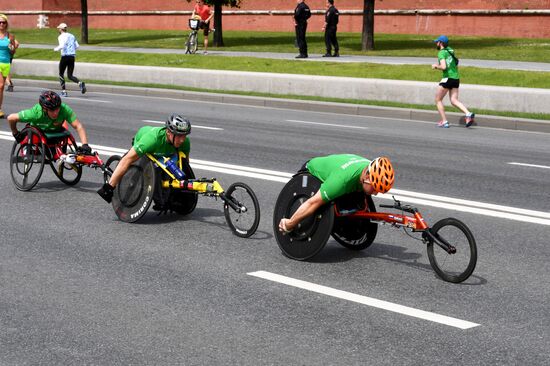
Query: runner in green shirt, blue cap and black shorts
x=448, y=63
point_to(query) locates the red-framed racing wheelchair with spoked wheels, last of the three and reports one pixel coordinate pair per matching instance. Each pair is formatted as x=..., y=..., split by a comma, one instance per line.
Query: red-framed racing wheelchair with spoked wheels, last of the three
x=57, y=149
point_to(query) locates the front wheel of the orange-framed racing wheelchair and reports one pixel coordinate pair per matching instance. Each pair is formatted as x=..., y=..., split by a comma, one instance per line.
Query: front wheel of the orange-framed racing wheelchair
x=452, y=267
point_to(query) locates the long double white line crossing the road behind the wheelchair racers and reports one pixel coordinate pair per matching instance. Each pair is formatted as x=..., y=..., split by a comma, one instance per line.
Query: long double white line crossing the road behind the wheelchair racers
x=456, y=204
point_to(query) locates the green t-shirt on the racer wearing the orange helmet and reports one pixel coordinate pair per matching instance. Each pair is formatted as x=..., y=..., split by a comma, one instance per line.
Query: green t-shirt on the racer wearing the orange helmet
x=339, y=174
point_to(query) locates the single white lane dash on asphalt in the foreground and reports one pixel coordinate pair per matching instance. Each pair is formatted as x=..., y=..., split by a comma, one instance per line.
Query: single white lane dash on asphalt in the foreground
x=365, y=300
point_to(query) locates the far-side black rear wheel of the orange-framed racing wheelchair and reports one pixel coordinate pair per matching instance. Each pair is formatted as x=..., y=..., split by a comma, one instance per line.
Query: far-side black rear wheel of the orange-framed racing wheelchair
x=355, y=233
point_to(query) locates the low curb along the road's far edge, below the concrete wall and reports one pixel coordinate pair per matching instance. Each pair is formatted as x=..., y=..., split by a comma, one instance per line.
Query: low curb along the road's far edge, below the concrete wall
x=510, y=123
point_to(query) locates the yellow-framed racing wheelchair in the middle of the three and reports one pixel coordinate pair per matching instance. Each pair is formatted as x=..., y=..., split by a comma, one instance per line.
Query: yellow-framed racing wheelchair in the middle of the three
x=150, y=179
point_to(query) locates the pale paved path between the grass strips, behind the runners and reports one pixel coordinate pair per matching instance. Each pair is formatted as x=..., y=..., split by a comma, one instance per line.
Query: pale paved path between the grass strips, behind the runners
x=507, y=65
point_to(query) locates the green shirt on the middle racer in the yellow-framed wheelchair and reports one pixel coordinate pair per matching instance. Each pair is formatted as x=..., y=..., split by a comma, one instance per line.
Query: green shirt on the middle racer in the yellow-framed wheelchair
x=152, y=140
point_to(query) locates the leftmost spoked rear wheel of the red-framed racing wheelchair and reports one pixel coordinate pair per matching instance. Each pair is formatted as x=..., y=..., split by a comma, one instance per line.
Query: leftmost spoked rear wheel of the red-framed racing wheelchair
x=27, y=160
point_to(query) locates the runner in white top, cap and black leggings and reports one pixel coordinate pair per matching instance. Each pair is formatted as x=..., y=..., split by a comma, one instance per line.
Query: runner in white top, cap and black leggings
x=67, y=45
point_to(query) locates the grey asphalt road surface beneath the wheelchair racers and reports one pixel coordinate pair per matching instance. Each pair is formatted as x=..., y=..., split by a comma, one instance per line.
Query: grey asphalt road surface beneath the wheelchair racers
x=77, y=286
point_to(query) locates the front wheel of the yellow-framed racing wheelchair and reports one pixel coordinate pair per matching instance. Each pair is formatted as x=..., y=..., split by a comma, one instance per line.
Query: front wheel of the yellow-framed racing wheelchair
x=244, y=221
